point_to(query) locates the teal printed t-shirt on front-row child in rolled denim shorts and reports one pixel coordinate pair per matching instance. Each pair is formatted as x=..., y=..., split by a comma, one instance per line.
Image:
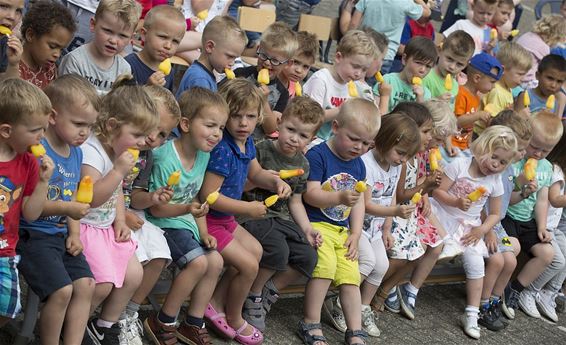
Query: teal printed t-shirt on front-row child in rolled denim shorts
x=166, y=161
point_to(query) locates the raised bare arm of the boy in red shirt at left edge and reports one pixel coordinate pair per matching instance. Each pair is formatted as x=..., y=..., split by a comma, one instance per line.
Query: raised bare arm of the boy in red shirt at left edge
x=32, y=206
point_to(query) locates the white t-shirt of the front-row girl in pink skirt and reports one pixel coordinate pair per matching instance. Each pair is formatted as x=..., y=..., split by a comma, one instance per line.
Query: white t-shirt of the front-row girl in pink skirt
x=95, y=156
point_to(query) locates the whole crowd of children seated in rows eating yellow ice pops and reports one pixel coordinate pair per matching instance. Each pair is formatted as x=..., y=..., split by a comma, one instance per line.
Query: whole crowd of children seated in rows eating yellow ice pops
x=407, y=150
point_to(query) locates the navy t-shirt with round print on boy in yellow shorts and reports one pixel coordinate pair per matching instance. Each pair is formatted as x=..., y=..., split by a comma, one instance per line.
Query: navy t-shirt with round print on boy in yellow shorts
x=334, y=174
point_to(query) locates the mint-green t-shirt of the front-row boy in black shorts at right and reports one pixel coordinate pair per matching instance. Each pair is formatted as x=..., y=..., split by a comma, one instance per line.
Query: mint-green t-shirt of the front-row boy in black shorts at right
x=524, y=211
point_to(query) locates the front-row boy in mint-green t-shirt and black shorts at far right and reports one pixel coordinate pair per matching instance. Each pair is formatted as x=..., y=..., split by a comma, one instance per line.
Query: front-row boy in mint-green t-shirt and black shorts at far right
x=526, y=216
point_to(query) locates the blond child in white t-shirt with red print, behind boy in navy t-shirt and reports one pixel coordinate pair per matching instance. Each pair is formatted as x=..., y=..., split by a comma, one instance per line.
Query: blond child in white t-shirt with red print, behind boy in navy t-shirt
x=328, y=86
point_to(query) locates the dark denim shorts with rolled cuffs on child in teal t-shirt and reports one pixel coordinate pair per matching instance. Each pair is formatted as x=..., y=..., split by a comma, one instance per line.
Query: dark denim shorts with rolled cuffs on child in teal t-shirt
x=183, y=245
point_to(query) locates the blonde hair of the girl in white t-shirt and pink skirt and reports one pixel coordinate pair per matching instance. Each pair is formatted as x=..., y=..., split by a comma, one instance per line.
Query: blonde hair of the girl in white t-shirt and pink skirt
x=128, y=103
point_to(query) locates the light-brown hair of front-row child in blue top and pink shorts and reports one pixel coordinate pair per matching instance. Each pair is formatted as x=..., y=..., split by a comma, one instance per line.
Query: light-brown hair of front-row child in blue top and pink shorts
x=241, y=94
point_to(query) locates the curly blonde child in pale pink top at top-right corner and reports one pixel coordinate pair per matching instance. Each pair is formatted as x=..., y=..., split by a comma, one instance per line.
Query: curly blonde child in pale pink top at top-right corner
x=546, y=33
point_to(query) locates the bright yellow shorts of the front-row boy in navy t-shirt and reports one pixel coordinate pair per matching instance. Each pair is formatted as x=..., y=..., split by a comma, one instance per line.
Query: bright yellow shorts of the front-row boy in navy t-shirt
x=332, y=263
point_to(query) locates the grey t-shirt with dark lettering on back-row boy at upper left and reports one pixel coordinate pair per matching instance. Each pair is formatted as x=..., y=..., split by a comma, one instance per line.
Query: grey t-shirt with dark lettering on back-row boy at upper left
x=80, y=62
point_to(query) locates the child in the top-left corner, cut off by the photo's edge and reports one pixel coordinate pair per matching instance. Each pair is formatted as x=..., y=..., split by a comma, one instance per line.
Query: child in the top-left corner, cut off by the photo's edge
x=10, y=45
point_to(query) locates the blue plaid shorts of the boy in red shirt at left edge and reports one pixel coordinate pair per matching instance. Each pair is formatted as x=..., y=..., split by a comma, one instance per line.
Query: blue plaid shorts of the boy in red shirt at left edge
x=9, y=287
